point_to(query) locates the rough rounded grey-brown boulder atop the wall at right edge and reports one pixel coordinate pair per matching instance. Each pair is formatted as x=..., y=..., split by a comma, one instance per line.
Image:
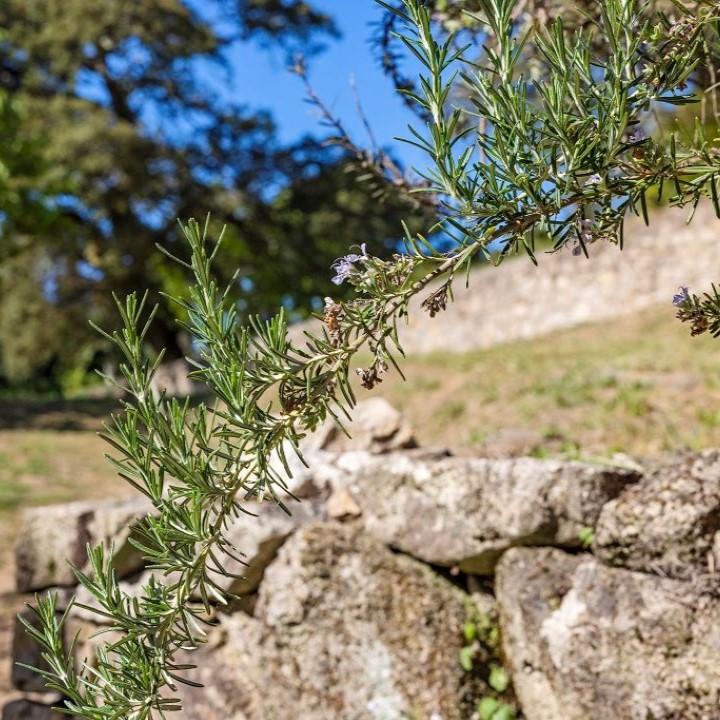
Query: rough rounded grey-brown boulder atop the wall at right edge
x=669, y=523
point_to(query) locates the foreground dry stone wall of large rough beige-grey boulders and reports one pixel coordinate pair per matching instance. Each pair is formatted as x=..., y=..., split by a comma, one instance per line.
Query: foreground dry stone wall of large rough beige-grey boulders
x=355, y=608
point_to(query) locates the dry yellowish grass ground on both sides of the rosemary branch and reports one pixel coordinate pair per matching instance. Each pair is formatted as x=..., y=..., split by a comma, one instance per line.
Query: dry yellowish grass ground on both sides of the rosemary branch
x=639, y=385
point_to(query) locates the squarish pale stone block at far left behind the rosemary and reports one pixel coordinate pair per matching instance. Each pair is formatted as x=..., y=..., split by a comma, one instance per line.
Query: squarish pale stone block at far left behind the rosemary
x=55, y=535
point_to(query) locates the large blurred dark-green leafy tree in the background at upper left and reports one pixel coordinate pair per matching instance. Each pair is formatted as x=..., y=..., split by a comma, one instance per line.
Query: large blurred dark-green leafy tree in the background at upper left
x=128, y=135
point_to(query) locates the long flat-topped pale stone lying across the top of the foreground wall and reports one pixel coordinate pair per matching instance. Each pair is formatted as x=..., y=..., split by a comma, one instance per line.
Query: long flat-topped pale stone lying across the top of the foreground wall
x=466, y=512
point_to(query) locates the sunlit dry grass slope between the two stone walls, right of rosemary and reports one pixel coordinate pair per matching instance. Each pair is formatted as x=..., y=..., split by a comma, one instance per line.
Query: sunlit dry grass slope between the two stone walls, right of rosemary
x=639, y=385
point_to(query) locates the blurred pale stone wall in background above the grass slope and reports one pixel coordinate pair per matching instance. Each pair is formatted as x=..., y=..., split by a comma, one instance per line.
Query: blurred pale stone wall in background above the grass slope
x=566, y=290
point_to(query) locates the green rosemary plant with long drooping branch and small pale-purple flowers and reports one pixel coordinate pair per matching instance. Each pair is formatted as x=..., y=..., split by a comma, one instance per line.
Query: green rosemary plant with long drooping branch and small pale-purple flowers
x=560, y=152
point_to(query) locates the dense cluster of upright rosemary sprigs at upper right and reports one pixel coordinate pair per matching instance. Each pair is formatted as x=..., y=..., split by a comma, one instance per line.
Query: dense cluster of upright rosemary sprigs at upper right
x=562, y=156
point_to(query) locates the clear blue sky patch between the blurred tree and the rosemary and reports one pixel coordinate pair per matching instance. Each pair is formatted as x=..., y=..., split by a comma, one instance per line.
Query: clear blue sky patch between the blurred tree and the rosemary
x=261, y=79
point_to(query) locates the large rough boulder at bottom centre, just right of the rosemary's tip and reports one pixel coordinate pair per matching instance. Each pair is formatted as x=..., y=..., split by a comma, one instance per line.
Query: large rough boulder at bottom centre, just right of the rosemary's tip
x=346, y=629
